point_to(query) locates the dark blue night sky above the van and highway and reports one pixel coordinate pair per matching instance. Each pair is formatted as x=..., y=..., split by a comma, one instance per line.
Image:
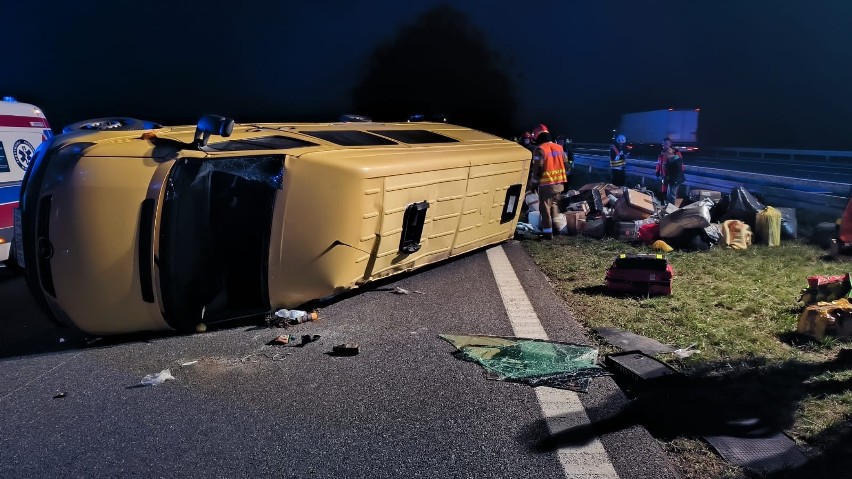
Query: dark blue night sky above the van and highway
x=764, y=73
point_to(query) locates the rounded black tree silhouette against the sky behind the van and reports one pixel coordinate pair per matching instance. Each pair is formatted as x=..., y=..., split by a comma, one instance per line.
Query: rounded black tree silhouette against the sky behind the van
x=440, y=64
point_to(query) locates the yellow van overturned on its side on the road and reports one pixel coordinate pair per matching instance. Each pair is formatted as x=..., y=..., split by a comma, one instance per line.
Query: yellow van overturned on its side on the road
x=130, y=226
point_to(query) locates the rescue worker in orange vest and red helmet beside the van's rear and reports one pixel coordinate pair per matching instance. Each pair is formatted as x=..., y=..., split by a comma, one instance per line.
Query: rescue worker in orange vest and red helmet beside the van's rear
x=548, y=176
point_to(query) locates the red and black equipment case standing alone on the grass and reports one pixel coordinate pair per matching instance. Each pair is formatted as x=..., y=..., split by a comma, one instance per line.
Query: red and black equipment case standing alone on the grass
x=645, y=274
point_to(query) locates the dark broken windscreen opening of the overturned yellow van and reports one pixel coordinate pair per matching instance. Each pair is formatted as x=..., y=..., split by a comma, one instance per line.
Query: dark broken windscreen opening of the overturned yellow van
x=214, y=238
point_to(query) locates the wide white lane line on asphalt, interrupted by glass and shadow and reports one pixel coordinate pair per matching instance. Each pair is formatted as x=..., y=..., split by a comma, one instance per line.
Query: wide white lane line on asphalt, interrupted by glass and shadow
x=562, y=409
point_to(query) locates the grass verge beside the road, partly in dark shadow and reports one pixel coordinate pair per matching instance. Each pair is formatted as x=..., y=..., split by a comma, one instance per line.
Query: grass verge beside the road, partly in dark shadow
x=740, y=308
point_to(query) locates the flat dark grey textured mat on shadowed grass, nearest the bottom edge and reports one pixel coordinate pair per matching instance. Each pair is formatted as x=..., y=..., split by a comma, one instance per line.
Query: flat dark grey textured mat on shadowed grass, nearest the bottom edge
x=760, y=454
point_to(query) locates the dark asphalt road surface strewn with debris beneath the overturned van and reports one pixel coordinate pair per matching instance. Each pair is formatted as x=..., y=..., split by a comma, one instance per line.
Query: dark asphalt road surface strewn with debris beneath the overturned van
x=403, y=407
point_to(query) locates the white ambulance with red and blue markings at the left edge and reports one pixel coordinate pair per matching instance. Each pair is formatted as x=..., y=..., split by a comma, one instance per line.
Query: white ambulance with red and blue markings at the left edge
x=22, y=129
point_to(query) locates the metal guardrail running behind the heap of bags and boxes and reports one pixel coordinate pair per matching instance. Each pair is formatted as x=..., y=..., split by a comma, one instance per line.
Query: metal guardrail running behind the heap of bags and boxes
x=822, y=198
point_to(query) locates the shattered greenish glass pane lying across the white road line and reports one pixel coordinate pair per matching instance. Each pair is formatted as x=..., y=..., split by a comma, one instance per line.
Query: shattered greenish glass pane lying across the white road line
x=530, y=361
